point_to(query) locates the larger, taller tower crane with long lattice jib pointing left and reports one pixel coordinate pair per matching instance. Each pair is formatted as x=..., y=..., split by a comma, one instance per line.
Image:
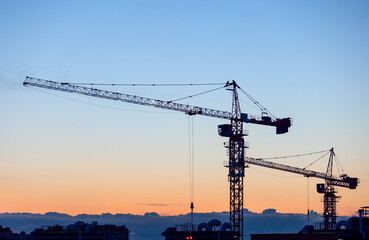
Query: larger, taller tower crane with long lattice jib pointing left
x=234, y=130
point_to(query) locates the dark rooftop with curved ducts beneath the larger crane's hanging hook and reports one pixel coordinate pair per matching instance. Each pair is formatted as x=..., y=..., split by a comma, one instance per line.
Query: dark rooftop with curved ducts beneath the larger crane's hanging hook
x=213, y=230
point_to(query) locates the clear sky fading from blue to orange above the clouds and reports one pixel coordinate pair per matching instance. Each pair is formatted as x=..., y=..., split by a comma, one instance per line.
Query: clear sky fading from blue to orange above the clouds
x=59, y=152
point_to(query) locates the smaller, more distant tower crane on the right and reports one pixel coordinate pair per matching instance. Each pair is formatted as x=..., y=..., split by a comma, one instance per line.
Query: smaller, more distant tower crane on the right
x=327, y=189
